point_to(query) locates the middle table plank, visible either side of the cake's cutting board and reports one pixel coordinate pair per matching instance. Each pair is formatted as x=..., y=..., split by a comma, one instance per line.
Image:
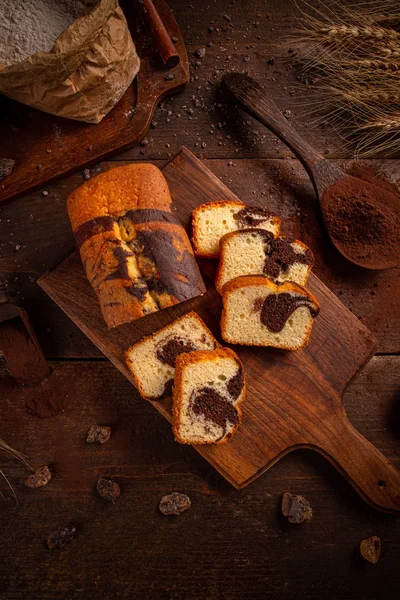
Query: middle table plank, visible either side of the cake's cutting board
x=40, y=225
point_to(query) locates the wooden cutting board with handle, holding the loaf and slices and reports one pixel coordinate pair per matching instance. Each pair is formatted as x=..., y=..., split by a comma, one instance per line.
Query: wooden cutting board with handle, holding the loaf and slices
x=294, y=399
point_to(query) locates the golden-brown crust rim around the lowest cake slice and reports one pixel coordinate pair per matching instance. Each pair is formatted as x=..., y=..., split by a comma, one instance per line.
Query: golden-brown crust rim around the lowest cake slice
x=194, y=357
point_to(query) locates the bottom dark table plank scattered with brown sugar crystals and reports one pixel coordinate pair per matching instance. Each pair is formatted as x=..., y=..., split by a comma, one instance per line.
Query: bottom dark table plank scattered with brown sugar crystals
x=231, y=544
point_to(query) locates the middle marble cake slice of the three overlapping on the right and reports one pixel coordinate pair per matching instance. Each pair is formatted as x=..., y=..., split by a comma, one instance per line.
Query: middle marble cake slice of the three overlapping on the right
x=256, y=252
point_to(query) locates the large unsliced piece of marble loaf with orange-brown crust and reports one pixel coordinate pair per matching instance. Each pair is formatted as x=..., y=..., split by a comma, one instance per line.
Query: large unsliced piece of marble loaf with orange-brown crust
x=135, y=252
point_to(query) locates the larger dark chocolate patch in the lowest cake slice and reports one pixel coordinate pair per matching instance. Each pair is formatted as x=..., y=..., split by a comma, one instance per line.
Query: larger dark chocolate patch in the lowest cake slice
x=213, y=407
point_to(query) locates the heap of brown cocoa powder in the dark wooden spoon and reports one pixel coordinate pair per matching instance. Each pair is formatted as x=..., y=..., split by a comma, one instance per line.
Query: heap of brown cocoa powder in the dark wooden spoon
x=362, y=215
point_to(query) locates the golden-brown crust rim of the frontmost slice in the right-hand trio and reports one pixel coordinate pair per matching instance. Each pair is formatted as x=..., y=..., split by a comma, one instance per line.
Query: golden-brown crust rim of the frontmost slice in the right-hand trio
x=249, y=281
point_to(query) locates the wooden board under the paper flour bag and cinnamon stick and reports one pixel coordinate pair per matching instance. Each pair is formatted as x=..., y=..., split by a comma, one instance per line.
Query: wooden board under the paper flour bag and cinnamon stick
x=46, y=147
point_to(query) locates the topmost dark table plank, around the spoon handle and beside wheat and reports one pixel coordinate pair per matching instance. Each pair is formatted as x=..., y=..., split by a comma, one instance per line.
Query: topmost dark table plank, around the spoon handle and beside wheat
x=245, y=43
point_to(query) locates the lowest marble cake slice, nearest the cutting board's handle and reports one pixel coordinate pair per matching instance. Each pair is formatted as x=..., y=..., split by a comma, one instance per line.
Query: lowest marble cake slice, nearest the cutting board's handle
x=209, y=387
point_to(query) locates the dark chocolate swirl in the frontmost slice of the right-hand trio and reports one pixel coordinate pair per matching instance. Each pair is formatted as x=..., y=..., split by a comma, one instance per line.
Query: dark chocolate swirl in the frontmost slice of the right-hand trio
x=276, y=309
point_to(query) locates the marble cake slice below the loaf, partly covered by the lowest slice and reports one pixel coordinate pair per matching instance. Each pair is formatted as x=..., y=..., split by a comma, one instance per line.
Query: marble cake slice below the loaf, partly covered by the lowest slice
x=152, y=360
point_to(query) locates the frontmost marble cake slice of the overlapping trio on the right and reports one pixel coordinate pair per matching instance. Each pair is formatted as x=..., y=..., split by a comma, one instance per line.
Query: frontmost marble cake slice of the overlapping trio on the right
x=258, y=312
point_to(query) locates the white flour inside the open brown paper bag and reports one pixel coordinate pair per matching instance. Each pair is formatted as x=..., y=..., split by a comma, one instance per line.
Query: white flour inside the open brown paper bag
x=29, y=26
